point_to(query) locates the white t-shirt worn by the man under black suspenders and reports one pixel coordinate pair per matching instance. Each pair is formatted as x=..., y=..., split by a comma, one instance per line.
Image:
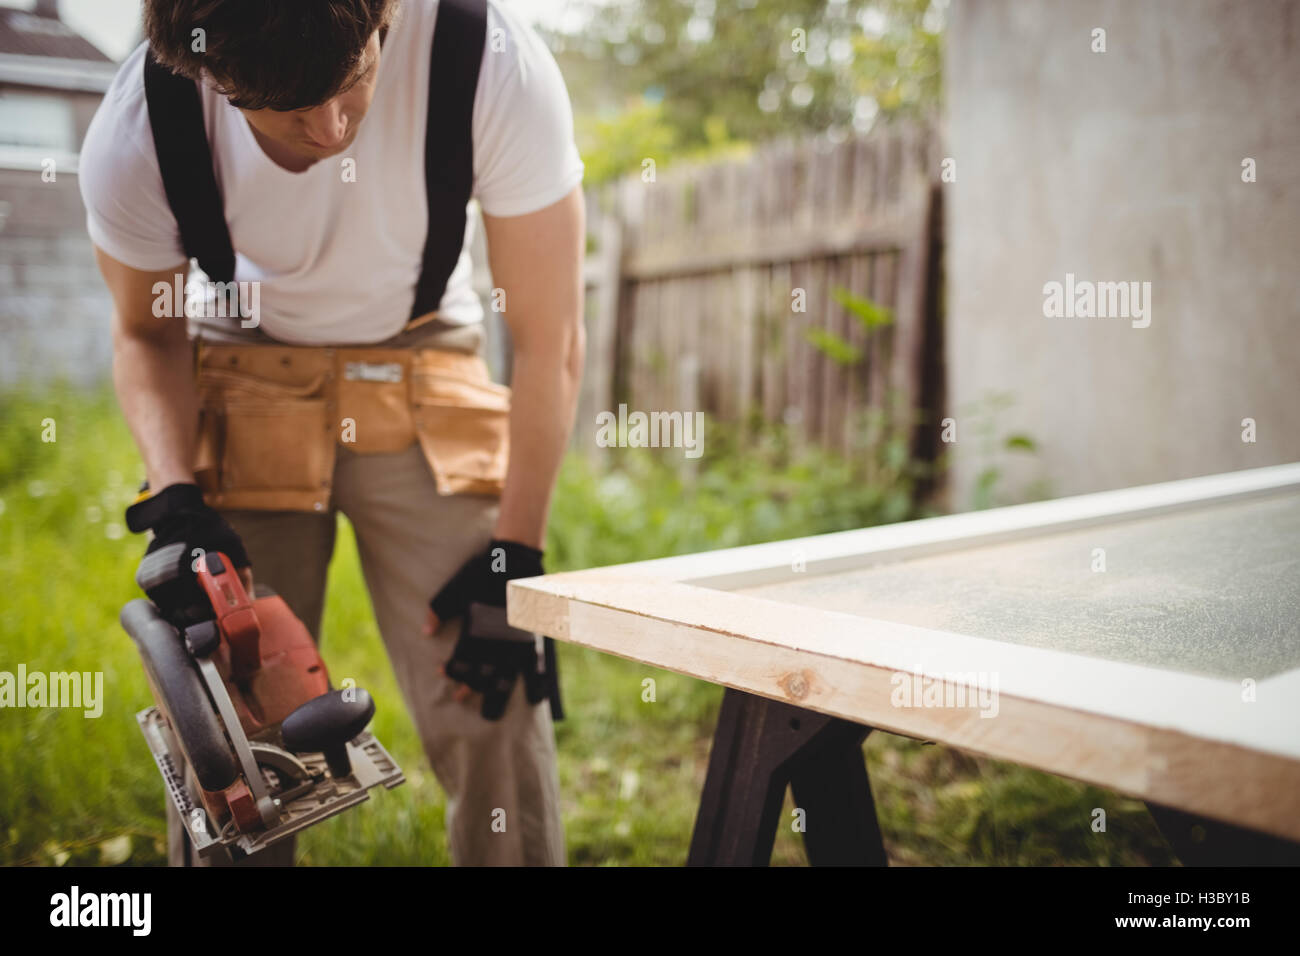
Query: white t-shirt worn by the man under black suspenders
x=339, y=261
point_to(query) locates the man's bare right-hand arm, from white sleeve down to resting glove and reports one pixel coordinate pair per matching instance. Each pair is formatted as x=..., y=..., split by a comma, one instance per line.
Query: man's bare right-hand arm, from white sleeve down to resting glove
x=538, y=261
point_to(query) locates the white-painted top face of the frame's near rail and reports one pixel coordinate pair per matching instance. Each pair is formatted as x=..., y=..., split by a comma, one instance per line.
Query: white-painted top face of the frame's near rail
x=1133, y=693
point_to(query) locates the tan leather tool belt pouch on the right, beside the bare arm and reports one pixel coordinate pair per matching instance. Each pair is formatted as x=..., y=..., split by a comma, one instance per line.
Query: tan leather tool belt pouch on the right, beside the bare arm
x=462, y=421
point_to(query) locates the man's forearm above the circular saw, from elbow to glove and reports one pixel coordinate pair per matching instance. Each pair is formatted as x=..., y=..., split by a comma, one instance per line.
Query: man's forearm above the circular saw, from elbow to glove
x=155, y=390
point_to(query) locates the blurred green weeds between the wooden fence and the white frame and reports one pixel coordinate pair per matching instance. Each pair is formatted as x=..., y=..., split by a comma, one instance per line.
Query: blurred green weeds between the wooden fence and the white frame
x=751, y=486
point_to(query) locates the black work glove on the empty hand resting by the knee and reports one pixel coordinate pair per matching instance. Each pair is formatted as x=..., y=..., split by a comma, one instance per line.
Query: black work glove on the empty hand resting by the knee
x=491, y=655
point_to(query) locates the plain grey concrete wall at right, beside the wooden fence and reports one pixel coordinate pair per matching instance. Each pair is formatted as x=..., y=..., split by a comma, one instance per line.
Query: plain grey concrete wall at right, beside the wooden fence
x=1124, y=166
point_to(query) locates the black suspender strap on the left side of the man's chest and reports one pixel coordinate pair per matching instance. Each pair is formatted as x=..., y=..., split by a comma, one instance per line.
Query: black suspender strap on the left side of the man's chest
x=185, y=161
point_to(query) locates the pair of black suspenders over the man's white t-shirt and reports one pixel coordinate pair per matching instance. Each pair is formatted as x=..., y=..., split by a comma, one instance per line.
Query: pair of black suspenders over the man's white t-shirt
x=185, y=159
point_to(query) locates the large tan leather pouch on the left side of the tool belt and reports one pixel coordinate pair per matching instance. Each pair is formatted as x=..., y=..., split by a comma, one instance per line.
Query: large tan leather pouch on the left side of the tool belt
x=266, y=443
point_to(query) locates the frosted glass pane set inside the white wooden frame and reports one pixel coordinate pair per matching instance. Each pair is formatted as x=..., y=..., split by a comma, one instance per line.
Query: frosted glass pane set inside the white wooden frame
x=1214, y=591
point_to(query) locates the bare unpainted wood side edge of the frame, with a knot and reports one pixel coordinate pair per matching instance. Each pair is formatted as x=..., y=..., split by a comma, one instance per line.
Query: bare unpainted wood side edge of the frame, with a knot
x=1249, y=788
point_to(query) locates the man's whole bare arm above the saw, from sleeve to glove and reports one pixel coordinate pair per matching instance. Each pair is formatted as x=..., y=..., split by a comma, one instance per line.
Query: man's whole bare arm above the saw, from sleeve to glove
x=153, y=373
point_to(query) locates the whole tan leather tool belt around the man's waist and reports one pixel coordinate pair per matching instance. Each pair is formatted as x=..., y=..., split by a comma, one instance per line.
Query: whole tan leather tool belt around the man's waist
x=272, y=421
